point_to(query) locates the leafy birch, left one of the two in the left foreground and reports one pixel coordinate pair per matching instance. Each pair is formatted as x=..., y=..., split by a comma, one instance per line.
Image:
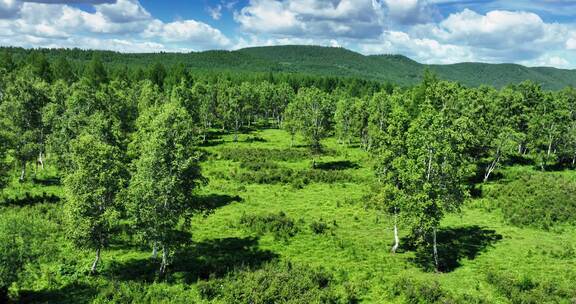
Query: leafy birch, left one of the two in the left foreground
x=96, y=177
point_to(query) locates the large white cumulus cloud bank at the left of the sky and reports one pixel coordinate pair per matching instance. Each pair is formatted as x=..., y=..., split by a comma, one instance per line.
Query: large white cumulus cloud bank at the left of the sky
x=119, y=25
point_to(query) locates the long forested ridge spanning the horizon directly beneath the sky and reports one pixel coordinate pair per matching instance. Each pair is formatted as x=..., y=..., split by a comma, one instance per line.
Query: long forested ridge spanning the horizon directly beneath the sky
x=329, y=61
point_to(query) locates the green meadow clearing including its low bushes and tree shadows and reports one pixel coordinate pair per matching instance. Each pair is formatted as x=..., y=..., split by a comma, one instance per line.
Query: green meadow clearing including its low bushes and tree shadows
x=313, y=236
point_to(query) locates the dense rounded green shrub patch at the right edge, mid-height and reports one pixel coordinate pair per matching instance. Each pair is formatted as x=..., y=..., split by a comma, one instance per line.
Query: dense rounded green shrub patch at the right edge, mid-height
x=540, y=200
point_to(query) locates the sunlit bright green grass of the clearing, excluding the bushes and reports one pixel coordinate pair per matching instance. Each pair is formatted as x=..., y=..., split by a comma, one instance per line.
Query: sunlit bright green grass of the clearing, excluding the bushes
x=355, y=249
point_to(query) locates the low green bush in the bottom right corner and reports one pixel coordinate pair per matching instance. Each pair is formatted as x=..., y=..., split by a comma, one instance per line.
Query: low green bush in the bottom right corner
x=525, y=290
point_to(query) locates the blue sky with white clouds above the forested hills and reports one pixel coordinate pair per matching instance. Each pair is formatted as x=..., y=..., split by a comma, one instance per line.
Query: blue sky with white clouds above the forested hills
x=532, y=33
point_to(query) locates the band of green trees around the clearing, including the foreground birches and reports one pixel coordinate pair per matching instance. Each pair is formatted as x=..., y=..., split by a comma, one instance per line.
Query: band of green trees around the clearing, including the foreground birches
x=130, y=150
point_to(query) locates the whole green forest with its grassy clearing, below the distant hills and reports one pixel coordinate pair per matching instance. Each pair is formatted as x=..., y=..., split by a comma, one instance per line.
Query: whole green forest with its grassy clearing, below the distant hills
x=161, y=183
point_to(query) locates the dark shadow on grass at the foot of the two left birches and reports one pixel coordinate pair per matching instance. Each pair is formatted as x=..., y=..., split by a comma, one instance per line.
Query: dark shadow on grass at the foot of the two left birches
x=202, y=260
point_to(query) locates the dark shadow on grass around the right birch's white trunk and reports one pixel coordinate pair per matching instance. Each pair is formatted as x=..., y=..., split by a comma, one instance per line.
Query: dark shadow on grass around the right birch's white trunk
x=454, y=244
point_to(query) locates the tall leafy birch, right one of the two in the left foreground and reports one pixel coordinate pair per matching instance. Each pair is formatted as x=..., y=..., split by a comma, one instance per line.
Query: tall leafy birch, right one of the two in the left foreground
x=167, y=173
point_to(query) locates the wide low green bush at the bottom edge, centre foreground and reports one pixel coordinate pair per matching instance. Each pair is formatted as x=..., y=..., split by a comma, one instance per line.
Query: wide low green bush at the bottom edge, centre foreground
x=275, y=283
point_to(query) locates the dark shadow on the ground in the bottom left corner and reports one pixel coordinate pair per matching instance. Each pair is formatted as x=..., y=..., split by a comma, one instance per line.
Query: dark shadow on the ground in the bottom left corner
x=72, y=294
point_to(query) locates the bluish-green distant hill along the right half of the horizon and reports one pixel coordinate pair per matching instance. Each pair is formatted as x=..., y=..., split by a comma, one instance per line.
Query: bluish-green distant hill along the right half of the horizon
x=403, y=70
